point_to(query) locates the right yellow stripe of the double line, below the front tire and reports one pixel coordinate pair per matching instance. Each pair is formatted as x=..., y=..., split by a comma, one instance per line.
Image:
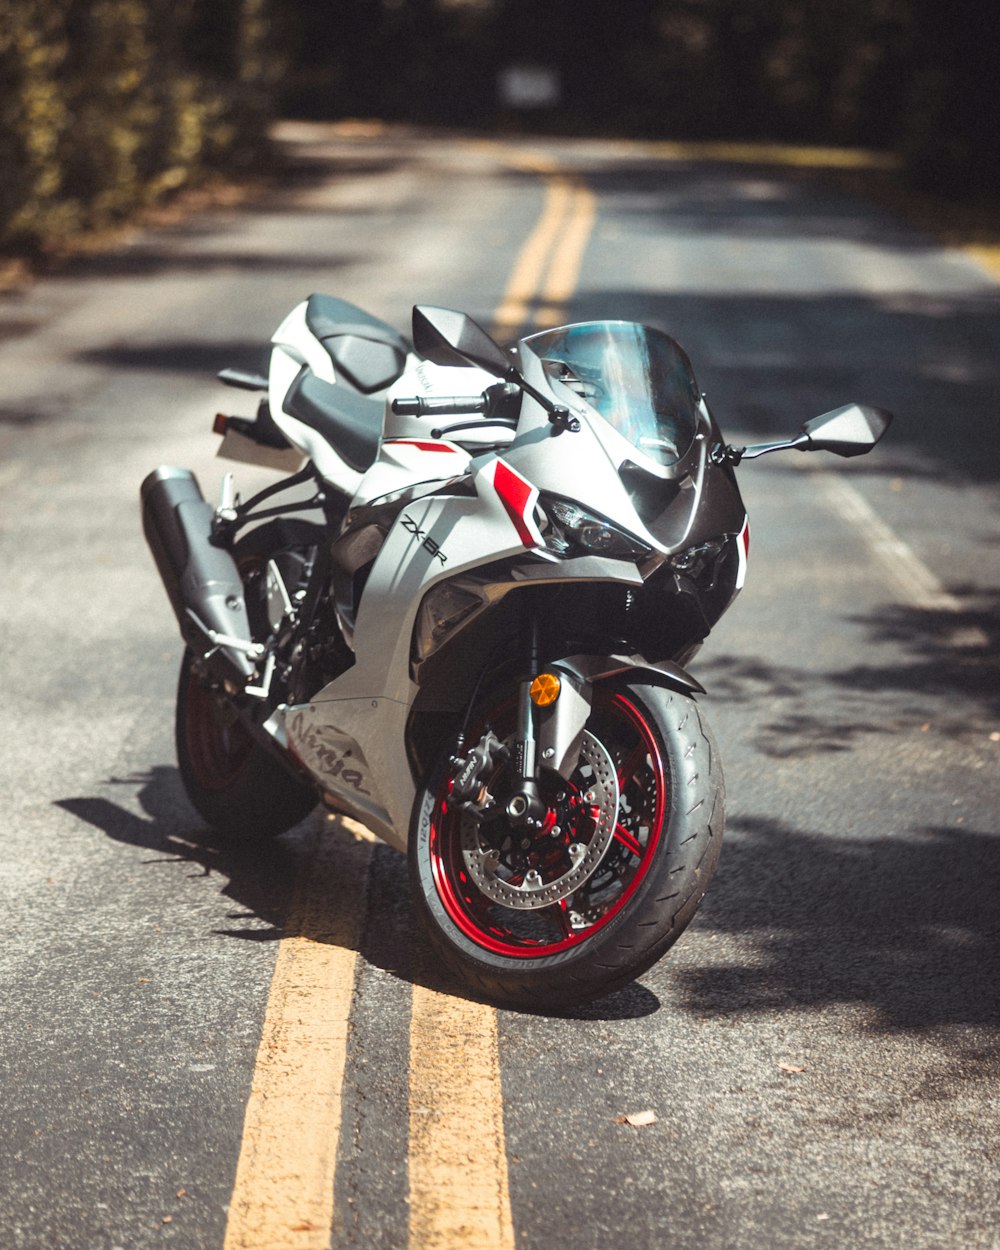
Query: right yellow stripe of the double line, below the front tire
x=459, y=1197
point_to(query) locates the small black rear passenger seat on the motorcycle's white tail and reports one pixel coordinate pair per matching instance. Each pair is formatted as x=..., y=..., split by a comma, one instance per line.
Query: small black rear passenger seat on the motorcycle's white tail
x=368, y=353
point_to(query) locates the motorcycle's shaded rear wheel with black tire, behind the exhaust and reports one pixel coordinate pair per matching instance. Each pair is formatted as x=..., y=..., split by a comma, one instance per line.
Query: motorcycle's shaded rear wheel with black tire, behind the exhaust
x=237, y=786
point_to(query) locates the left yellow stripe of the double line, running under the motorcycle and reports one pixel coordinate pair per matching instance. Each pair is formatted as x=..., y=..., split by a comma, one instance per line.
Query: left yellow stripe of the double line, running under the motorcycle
x=283, y=1196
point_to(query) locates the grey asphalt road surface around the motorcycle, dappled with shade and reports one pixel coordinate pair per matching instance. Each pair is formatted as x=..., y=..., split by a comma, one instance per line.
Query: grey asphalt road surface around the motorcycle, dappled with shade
x=821, y=1051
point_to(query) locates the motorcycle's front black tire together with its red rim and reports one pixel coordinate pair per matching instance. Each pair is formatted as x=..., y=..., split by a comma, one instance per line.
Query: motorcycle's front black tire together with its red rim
x=649, y=883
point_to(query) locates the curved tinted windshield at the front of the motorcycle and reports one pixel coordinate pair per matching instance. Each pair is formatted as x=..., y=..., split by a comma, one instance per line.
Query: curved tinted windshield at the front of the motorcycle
x=639, y=381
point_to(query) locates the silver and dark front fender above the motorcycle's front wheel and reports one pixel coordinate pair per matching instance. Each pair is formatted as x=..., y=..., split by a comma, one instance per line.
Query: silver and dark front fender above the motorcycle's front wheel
x=561, y=727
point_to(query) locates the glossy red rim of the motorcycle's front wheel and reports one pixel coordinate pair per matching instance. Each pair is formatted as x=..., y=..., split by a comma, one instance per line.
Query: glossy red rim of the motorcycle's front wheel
x=642, y=774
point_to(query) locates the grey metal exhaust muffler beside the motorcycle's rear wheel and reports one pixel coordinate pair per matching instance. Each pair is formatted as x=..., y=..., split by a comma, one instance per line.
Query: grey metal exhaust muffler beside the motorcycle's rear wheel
x=201, y=579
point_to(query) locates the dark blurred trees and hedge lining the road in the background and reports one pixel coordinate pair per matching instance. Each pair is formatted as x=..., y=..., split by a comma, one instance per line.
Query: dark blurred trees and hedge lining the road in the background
x=109, y=107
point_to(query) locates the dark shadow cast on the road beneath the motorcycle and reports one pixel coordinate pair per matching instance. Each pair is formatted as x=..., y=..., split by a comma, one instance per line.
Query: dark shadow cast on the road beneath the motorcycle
x=324, y=881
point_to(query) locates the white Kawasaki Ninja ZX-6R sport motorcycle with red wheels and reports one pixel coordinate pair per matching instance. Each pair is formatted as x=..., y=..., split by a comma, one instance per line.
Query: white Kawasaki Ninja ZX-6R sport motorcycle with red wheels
x=464, y=618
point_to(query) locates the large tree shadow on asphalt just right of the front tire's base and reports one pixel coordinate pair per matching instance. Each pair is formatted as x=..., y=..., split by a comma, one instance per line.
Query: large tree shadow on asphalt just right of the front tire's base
x=906, y=927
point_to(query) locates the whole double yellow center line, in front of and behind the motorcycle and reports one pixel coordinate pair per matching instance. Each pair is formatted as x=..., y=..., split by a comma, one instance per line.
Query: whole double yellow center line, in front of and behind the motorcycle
x=283, y=1197
